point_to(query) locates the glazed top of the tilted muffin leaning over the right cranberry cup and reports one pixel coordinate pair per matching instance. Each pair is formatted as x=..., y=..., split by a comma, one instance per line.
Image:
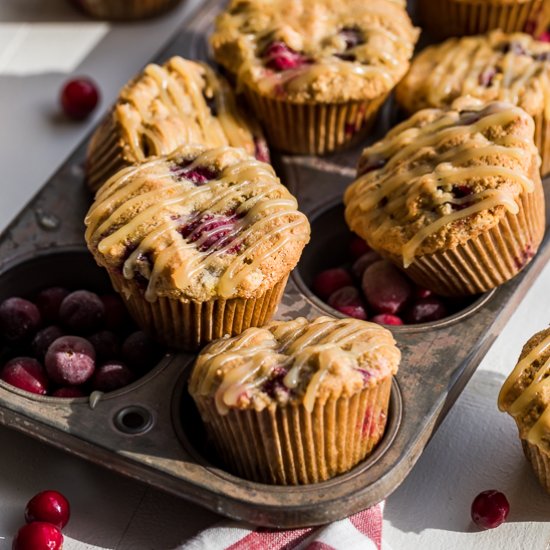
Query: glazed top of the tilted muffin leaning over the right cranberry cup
x=443, y=177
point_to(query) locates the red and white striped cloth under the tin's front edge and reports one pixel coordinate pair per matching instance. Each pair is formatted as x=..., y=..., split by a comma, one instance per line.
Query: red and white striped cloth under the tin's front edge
x=361, y=531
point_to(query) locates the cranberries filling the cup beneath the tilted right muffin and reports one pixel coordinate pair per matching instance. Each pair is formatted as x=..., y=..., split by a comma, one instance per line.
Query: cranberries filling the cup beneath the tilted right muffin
x=369, y=287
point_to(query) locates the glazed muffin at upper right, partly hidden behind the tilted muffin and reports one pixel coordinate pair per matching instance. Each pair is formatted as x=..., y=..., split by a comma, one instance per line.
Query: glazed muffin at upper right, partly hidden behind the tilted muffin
x=496, y=66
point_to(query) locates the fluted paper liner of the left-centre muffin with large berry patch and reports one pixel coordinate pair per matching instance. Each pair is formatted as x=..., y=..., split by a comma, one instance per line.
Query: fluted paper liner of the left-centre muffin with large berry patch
x=190, y=325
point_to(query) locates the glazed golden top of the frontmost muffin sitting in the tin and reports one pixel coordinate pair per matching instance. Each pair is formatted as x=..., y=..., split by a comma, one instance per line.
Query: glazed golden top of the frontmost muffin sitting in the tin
x=296, y=361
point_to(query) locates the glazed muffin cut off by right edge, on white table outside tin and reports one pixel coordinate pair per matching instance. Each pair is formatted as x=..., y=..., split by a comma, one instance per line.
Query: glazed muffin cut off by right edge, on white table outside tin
x=525, y=397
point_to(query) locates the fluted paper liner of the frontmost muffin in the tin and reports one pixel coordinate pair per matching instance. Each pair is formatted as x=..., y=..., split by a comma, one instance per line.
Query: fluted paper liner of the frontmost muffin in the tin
x=287, y=445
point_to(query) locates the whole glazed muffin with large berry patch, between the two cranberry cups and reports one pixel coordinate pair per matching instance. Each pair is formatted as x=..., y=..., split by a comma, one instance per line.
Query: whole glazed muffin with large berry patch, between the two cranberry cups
x=199, y=243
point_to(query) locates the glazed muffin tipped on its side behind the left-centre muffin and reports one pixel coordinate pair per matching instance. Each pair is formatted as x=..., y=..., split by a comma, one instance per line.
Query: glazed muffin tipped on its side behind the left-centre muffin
x=178, y=103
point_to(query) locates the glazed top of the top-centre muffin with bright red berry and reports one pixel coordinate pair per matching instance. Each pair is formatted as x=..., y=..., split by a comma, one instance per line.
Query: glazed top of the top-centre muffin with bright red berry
x=324, y=51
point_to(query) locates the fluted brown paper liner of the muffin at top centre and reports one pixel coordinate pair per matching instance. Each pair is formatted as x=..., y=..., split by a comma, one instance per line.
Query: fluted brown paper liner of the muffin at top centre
x=313, y=128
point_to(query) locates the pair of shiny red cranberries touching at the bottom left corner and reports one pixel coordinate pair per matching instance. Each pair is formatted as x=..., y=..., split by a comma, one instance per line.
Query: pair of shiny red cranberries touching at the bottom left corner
x=45, y=515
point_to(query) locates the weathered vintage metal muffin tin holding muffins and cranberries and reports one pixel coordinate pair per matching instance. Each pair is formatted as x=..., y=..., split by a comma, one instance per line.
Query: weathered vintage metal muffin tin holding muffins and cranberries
x=150, y=429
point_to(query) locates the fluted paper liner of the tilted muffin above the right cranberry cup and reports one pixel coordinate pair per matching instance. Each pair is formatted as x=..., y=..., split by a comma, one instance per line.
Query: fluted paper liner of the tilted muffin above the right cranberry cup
x=488, y=260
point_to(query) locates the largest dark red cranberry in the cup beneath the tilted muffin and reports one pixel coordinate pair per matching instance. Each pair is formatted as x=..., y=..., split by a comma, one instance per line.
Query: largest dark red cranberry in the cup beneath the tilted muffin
x=386, y=289
